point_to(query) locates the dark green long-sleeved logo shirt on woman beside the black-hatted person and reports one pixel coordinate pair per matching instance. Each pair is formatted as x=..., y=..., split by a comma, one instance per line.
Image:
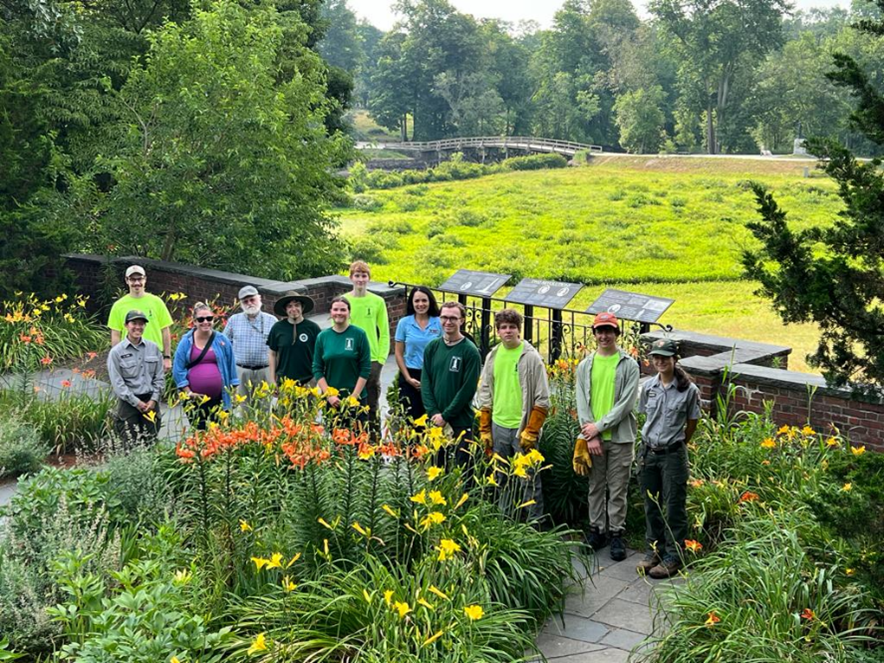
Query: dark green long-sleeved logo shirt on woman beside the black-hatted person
x=342, y=358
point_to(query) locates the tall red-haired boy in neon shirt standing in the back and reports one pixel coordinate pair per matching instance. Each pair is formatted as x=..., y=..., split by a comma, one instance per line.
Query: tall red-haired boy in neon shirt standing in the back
x=368, y=311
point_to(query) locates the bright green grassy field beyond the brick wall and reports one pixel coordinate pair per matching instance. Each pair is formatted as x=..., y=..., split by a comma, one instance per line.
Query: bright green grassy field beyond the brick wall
x=667, y=226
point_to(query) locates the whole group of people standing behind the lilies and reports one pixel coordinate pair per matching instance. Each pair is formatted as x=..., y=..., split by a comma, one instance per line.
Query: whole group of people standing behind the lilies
x=441, y=378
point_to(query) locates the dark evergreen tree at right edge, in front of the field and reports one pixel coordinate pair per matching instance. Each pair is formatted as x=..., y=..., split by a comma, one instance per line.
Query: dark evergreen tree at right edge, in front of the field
x=834, y=275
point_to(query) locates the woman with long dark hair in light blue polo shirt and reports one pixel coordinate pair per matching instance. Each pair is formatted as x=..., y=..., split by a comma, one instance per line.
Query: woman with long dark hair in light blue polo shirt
x=420, y=326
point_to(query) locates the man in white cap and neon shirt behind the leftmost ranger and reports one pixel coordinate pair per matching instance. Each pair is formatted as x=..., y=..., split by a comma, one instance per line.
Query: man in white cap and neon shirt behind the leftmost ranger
x=152, y=306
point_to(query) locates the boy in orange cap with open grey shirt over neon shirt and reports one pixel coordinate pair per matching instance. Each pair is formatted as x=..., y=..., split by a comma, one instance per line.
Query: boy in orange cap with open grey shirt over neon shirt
x=607, y=388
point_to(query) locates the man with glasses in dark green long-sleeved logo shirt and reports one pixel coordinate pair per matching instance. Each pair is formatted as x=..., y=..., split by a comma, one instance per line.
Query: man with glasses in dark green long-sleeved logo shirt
x=450, y=377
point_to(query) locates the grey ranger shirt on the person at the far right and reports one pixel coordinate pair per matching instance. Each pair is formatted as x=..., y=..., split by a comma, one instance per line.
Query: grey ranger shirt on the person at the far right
x=667, y=410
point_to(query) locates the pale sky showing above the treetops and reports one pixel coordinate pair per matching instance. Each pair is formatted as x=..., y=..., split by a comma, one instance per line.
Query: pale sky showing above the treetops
x=378, y=11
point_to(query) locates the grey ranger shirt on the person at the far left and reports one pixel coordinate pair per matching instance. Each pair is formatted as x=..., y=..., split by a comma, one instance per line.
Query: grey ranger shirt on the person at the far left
x=136, y=369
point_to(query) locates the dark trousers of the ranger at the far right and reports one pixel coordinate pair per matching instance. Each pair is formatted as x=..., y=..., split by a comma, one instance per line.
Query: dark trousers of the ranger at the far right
x=664, y=481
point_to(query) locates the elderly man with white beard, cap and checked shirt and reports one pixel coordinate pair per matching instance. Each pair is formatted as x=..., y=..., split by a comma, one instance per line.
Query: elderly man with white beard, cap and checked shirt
x=248, y=332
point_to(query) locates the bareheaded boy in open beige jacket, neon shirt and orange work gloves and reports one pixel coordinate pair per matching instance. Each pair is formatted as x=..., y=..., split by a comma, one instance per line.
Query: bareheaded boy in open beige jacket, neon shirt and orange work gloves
x=513, y=404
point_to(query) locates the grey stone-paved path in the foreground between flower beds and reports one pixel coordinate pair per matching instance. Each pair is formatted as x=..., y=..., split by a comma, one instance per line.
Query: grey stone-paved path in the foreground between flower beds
x=610, y=620
